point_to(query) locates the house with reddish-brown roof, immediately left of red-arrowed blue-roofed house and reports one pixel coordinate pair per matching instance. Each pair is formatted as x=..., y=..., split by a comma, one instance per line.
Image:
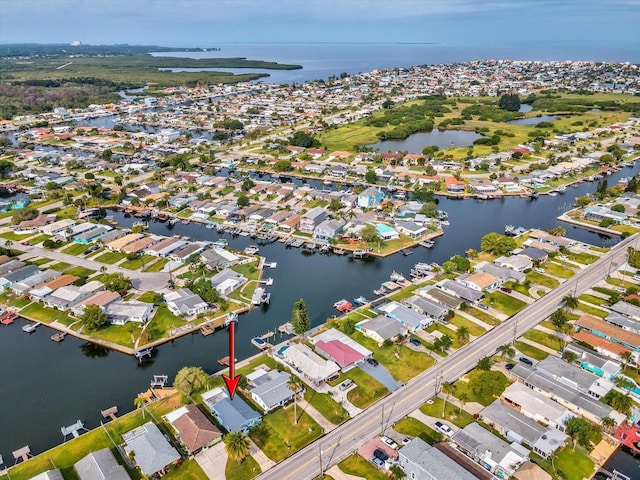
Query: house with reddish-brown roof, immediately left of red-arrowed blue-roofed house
x=193, y=429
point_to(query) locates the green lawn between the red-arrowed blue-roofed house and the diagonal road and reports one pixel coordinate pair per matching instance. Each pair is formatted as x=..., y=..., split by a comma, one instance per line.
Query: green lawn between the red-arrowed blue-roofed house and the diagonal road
x=284, y=437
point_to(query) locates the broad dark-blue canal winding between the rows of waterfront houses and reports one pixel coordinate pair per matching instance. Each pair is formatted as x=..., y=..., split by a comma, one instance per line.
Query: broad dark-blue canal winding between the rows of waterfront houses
x=45, y=385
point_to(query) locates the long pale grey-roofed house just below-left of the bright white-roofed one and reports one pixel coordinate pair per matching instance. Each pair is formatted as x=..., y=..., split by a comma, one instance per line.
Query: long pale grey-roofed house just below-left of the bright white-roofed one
x=519, y=428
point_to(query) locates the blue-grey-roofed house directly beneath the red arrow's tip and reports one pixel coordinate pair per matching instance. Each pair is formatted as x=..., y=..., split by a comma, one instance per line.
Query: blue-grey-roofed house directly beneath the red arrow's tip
x=234, y=415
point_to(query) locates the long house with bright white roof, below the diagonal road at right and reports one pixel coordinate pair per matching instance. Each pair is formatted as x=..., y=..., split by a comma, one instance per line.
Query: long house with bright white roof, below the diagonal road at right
x=536, y=406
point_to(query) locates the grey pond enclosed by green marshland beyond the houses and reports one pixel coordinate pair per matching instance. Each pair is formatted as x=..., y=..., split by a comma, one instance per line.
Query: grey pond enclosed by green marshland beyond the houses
x=415, y=142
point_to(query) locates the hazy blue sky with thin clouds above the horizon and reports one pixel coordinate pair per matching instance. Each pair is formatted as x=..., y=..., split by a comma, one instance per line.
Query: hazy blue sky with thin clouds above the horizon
x=208, y=23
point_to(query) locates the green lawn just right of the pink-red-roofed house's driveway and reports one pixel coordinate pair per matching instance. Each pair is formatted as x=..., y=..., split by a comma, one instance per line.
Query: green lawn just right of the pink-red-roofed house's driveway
x=407, y=365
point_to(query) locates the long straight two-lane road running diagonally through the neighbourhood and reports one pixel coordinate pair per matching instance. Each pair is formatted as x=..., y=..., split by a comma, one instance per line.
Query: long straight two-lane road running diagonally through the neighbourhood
x=348, y=437
